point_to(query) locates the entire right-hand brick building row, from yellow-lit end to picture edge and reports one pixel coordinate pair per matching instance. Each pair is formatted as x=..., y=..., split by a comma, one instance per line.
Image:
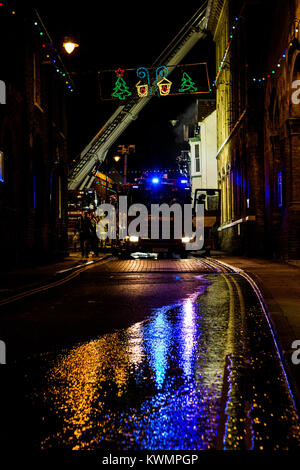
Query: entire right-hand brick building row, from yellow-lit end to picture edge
x=257, y=60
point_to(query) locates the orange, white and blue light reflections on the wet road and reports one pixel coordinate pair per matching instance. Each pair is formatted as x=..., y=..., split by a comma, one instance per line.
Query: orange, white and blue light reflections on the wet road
x=138, y=388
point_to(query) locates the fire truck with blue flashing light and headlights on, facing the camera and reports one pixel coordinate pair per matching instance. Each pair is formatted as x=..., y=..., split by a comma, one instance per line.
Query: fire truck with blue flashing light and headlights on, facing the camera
x=164, y=193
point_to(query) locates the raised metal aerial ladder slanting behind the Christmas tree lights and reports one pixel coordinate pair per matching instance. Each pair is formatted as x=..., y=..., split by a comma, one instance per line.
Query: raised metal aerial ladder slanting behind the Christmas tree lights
x=82, y=174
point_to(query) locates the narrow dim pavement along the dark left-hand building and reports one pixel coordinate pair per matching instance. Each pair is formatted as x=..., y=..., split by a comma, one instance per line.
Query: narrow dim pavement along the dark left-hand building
x=30, y=277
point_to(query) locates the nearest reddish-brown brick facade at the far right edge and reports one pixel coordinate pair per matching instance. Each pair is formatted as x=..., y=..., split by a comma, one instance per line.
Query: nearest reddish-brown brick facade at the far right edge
x=282, y=132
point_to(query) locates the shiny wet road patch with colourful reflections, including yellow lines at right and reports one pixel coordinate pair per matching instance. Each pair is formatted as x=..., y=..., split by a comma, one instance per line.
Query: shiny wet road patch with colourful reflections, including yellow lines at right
x=170, y=382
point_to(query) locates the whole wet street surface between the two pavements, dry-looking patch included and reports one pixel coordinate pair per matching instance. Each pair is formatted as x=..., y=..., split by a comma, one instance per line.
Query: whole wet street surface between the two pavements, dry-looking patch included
x=138, y=355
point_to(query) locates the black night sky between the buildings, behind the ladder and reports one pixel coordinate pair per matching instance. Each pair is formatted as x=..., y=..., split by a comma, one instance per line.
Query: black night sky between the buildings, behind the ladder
x=122, y=34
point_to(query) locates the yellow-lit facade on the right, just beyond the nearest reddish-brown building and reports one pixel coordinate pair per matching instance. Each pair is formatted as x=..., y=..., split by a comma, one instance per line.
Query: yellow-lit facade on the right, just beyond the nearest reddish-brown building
x=239, y=130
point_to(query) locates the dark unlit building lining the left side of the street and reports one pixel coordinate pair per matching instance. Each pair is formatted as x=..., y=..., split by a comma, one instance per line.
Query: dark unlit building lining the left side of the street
x=33, y=142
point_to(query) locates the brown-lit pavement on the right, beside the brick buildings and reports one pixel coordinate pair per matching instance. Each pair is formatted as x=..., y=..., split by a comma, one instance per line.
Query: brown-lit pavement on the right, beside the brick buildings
x=280, y=285
